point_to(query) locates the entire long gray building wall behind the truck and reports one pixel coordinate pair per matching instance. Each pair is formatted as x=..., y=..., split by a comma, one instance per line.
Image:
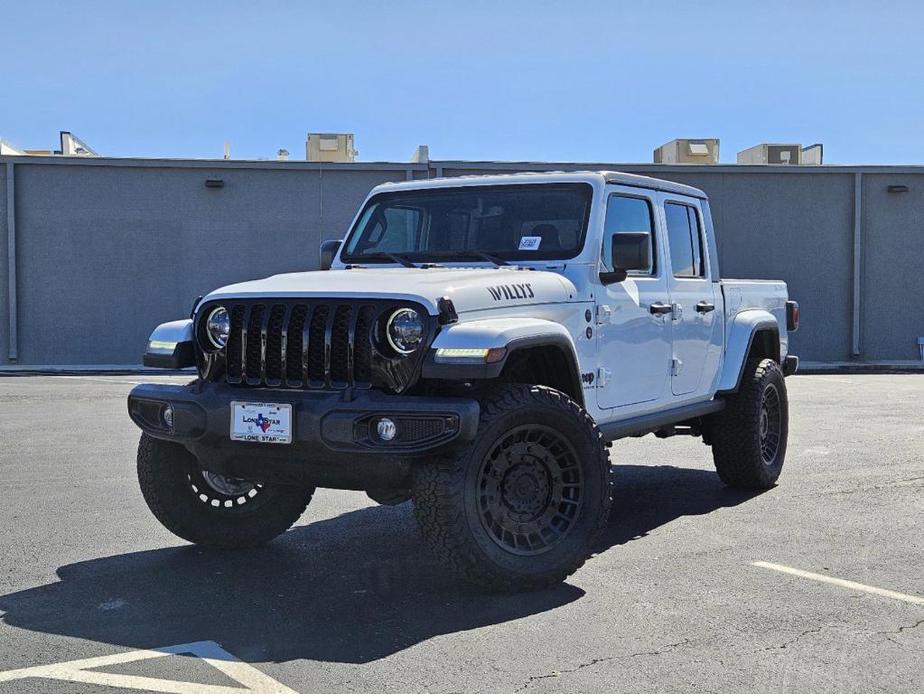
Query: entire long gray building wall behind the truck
x=106, y=249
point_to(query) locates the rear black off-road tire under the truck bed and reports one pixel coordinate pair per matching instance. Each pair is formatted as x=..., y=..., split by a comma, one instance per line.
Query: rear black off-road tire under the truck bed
x=739, y=448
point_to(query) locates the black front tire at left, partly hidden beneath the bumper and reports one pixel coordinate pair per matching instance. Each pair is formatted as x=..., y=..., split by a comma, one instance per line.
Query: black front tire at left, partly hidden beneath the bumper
x=179, y=498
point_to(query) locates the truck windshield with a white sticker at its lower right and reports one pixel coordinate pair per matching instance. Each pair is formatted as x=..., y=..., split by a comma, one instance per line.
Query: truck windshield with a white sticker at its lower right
x=526, y=222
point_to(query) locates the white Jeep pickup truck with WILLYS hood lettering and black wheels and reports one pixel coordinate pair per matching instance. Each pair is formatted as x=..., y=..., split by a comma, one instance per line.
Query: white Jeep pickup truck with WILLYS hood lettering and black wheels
x=474, y=345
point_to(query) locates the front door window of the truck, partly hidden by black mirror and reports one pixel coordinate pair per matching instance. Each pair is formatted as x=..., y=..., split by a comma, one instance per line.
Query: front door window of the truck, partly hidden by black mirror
x=632, y=219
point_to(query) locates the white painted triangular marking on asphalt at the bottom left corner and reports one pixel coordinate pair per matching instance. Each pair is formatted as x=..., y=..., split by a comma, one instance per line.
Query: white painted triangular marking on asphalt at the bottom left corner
x=78, y=671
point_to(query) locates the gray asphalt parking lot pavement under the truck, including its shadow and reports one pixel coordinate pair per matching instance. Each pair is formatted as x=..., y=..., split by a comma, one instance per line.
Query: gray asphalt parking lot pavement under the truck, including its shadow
x=96, y=596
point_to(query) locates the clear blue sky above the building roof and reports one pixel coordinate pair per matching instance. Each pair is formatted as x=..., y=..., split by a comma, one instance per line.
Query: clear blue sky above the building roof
x=563, y=81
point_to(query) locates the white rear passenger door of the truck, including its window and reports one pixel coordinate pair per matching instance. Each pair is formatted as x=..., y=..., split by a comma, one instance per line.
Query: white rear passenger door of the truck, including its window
x=695, y=326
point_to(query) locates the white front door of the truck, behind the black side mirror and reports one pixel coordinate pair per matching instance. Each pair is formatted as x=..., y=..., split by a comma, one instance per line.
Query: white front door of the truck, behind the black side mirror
x=633, y=339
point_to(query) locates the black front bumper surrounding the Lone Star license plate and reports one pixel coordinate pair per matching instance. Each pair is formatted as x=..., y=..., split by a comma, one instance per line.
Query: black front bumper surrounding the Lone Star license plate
x=333, y=433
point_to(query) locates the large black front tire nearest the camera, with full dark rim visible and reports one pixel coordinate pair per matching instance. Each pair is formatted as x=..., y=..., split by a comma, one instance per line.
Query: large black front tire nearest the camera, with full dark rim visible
x=448, y=493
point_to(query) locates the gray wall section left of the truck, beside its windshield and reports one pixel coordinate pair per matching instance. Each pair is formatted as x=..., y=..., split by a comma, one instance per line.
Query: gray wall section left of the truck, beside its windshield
x=107, y=252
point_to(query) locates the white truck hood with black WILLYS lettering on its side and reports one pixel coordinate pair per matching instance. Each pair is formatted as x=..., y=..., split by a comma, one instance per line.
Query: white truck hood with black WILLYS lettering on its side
x=470, y=289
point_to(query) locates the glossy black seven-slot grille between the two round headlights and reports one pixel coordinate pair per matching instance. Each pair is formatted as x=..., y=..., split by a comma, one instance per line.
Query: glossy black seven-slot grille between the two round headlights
x=301, y=345
